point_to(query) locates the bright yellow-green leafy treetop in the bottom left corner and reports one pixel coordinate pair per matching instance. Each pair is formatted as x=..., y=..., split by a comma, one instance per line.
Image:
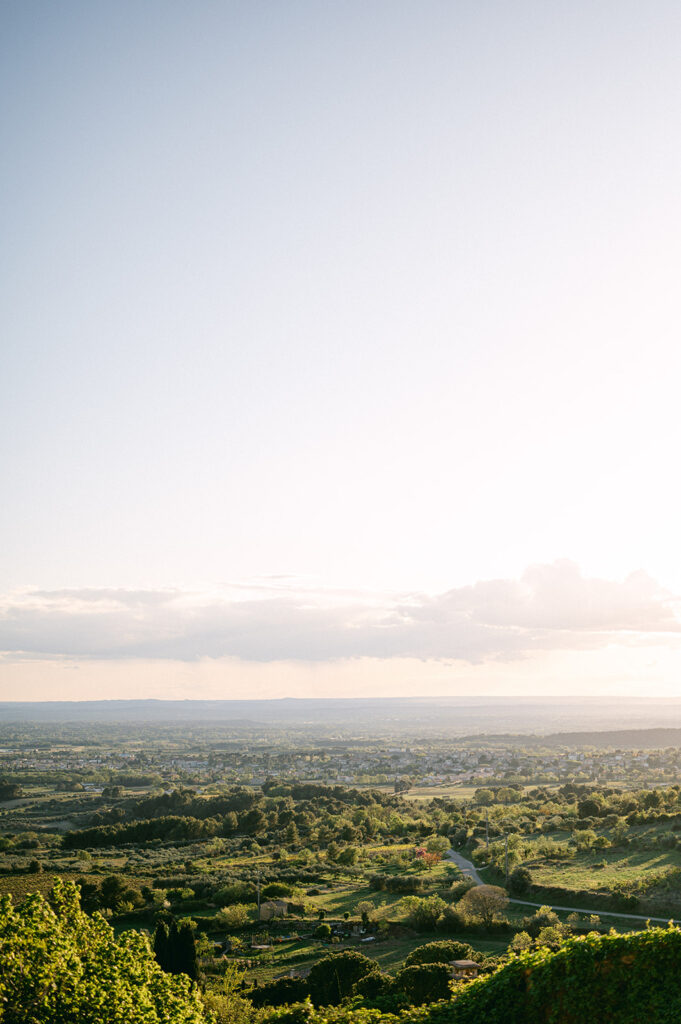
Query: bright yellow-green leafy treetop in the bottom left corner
x=59, y=966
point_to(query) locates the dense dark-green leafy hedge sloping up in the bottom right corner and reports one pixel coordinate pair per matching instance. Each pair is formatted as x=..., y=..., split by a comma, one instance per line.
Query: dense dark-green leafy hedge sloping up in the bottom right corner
x=611, y=979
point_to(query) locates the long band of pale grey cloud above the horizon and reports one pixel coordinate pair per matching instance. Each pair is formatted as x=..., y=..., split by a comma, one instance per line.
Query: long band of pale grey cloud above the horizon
x=549, y=608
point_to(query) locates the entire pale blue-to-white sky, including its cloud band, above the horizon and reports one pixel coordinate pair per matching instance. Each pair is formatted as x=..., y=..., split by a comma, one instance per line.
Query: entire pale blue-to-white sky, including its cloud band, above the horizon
x=339, y=349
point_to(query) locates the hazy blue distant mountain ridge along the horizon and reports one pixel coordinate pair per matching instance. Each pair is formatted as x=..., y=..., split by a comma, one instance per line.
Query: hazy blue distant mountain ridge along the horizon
x=569, y=718
